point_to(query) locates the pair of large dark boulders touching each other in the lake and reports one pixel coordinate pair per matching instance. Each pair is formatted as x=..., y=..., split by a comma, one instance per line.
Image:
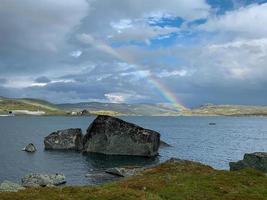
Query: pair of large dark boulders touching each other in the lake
x=107, y=135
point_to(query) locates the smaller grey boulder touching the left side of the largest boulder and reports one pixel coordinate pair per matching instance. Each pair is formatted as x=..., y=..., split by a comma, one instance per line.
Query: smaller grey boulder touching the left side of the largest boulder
x=69, y=139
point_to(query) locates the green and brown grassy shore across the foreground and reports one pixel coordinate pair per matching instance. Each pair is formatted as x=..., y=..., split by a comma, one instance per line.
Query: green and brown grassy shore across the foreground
x=171, y=180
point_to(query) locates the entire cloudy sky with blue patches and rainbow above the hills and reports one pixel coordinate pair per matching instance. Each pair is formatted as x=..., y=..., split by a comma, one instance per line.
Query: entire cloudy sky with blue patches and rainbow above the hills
x=189, y=52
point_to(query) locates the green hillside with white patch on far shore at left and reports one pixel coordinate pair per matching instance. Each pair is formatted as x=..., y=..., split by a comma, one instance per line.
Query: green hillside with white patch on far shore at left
x=22, y=106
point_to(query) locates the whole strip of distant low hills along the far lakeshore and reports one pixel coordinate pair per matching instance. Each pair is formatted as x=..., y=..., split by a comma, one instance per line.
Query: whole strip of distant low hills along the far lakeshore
x=36, y=106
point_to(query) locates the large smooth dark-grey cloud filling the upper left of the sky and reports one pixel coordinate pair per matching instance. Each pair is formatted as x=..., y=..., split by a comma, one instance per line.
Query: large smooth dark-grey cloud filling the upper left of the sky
x=36, y=33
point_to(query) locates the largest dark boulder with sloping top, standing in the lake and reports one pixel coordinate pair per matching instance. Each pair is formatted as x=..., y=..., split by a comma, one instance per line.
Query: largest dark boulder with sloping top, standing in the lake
x=113, y=136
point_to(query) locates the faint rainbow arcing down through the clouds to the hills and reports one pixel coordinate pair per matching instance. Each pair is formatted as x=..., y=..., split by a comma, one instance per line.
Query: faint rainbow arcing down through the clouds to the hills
x=159, y=85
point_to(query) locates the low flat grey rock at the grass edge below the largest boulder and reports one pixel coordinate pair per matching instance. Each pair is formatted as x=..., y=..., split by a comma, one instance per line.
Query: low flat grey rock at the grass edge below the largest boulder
x=124, y=172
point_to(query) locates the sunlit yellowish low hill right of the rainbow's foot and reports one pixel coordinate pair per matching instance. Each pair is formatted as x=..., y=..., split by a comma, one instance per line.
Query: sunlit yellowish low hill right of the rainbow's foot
x=227, y=110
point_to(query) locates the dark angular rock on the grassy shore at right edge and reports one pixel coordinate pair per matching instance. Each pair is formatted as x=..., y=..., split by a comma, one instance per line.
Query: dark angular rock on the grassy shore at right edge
x=256, y=161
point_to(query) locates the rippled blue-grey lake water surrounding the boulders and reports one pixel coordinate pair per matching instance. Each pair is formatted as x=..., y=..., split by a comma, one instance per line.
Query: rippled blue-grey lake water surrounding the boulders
x=191, y=137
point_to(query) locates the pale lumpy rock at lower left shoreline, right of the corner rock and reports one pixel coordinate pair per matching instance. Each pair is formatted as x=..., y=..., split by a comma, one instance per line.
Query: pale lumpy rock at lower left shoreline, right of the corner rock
x=43, y=180
